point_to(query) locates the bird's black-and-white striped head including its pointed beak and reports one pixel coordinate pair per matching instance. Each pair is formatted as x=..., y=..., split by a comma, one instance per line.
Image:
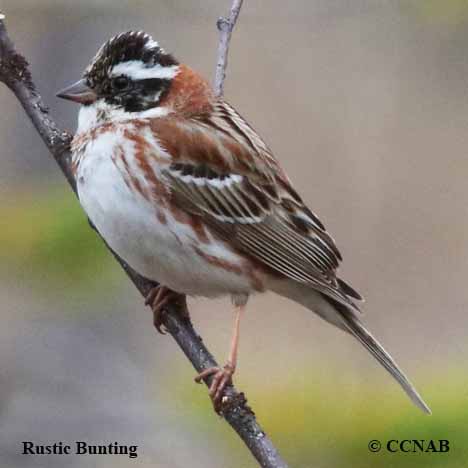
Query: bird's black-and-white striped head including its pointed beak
x=129, y=73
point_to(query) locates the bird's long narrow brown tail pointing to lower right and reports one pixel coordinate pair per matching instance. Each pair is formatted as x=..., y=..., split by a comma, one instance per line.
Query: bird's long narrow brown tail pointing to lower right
x=347, y=319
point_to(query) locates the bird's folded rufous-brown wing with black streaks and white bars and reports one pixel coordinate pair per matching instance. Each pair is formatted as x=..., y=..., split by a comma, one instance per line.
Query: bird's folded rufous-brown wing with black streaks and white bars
x=224, y=173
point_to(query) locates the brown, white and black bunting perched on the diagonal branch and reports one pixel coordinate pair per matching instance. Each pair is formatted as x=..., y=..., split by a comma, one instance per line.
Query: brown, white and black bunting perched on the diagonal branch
x=184, y=190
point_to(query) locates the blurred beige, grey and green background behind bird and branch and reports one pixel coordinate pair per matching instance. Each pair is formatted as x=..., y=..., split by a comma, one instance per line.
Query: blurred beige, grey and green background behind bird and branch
x=365, y=103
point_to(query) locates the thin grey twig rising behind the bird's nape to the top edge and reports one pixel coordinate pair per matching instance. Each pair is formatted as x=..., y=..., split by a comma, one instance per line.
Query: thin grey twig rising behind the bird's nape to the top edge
x=225, y=28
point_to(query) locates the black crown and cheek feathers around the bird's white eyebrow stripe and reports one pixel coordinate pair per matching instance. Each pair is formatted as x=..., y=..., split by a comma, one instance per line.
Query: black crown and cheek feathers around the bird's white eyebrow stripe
x=122, y=91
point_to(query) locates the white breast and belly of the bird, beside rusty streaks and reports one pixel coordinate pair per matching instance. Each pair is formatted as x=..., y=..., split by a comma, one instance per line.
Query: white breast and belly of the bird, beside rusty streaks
x=159, y=247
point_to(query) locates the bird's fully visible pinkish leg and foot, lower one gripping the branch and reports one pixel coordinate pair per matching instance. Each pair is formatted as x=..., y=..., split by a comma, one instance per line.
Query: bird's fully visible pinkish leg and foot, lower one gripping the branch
x=223, y=376
